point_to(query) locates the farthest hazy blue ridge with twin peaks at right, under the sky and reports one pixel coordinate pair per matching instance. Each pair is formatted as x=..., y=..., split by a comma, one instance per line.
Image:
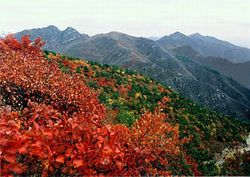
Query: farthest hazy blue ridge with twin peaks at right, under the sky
x=207, y=46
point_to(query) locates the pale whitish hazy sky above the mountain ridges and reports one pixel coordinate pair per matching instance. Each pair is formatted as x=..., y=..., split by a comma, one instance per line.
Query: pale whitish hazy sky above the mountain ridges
x=225, y=19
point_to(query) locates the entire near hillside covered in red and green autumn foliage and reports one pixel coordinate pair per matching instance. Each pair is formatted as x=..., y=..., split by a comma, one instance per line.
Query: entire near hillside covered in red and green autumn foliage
x=124, y=117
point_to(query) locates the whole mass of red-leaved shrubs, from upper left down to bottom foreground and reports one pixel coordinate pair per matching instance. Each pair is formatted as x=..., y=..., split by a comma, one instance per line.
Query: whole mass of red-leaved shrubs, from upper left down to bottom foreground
x=51, y=123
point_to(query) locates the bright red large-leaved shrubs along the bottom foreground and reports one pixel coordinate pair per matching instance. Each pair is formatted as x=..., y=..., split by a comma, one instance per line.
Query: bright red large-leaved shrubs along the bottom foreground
x=39, y=139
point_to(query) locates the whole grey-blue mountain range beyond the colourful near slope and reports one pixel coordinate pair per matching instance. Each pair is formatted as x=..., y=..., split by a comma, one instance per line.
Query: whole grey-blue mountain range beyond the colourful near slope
x=189, y=64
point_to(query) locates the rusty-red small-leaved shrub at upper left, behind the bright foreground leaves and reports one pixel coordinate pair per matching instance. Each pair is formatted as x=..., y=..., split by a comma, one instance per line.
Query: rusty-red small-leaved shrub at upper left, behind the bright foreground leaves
x=43, y=81
